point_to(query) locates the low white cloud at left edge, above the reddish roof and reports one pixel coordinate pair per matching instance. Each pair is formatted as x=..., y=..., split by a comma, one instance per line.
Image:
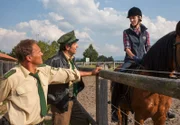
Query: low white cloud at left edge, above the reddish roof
x=9, y=38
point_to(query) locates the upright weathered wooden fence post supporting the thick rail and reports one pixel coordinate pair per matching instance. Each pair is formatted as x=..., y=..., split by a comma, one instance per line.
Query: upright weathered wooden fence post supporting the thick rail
x=101, y=101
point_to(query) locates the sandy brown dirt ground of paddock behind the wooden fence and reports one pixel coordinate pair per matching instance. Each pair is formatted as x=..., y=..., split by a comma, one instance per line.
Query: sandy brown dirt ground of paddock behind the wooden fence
x=87, y=98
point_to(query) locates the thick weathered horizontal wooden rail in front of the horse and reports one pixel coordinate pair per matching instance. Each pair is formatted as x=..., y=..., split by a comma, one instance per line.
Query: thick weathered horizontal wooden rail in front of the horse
x=165, y=86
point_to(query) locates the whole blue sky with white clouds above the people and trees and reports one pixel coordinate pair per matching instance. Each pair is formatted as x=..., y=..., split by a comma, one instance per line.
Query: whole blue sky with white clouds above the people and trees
x=97, y=22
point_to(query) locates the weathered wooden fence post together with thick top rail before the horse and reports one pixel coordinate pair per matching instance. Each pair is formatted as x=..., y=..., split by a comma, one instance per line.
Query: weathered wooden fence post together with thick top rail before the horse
x=169, y=87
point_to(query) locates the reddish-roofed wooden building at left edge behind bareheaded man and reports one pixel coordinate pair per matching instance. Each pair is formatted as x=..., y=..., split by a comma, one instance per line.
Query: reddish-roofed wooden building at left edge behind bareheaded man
x=6, y=63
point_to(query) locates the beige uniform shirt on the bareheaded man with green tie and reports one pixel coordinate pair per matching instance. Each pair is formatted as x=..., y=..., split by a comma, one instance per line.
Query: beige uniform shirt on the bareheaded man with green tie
x=21, y=92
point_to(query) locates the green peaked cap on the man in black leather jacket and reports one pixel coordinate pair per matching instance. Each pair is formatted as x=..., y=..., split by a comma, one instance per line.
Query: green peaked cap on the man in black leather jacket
x=67, y=38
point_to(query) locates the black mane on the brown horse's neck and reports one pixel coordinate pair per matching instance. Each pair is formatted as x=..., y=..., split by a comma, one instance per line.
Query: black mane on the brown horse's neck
x=160, y=55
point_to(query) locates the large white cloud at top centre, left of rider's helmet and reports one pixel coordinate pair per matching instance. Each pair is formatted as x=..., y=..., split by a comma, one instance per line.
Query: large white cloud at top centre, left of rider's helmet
x=87, y=13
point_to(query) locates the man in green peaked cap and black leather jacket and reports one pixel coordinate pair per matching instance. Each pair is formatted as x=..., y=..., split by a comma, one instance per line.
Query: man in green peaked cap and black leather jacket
x=64, y=105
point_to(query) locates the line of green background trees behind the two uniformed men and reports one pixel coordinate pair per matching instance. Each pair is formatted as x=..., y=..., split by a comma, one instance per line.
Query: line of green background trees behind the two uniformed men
x=49, y=49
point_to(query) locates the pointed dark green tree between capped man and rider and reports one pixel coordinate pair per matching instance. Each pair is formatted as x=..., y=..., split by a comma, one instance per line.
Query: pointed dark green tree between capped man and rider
x=90, y=53
